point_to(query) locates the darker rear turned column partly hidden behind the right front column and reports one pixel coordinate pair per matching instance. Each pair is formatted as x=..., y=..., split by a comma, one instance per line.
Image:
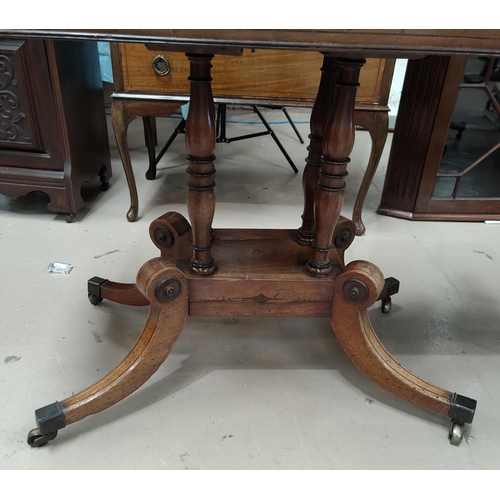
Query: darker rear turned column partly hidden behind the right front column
x=319, y=117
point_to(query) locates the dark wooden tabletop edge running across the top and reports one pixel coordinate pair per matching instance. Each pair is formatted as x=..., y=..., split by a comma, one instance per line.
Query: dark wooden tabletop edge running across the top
x=380, y=42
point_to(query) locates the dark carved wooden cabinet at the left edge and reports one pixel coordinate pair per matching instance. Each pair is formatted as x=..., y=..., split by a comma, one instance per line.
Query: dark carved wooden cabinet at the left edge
x=53, y=134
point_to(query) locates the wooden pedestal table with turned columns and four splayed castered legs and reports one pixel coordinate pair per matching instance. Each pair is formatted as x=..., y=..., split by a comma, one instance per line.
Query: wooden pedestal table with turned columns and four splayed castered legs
x=204, y=271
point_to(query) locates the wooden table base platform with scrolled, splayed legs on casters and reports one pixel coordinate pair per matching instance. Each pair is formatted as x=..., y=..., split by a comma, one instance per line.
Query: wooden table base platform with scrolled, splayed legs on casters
x=258, y=272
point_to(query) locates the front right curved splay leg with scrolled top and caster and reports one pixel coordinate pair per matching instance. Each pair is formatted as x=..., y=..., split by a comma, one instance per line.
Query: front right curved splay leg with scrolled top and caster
x=358, y=287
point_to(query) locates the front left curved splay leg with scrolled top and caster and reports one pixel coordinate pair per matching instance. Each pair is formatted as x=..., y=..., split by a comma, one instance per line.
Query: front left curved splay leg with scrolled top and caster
x=166, y=289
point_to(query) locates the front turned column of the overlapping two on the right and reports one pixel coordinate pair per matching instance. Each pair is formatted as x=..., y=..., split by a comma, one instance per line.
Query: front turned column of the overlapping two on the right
x=338, y=141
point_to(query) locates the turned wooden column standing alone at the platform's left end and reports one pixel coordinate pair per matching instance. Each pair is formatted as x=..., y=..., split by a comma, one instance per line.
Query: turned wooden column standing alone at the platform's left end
x=200, y=144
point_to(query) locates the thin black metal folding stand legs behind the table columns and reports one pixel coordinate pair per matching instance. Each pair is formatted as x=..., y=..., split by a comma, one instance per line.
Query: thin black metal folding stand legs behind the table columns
x=222, y=137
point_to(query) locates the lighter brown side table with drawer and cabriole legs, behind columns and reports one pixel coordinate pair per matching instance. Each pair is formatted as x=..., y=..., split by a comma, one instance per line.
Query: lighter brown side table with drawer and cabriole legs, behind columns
x=153, y=81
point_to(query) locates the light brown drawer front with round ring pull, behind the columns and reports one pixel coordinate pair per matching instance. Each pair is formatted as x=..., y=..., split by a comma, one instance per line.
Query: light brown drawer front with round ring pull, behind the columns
x=260, y=74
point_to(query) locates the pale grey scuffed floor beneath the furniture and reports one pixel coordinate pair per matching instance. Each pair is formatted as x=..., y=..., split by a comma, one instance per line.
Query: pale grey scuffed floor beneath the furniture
x=243, y=393
